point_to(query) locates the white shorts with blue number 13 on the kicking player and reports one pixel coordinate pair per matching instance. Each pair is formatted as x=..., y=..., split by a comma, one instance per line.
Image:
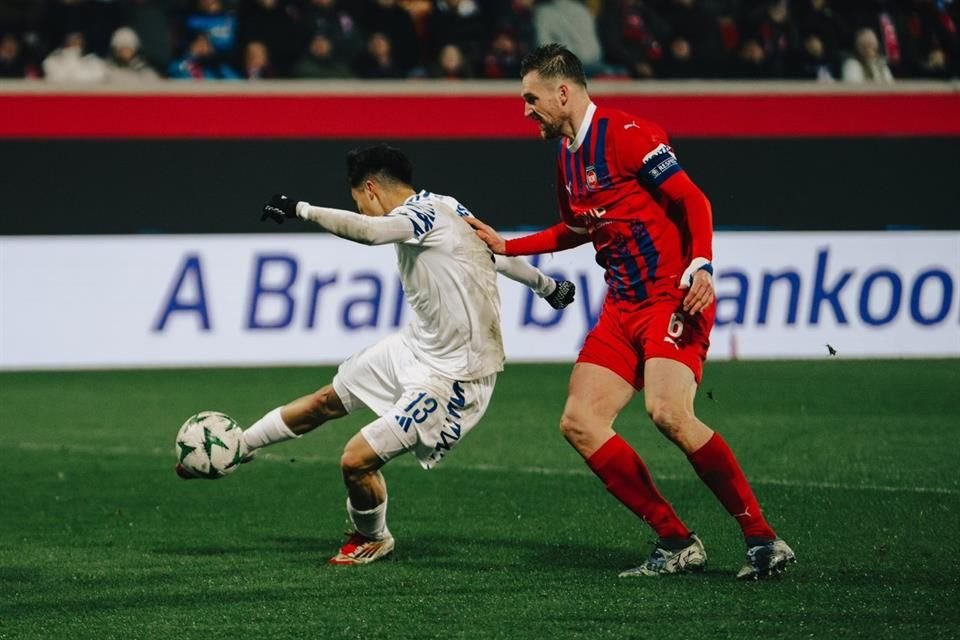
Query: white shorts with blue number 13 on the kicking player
x=423, y=412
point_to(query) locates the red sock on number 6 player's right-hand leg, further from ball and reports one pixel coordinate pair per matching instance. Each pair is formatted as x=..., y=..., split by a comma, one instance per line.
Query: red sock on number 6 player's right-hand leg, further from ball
x=716, y=465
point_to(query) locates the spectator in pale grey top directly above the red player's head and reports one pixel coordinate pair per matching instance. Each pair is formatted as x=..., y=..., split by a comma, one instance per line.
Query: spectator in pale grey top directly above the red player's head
x=569, y=23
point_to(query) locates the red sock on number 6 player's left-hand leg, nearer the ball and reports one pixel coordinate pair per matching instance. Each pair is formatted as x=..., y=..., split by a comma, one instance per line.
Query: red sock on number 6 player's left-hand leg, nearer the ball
x=627, y=478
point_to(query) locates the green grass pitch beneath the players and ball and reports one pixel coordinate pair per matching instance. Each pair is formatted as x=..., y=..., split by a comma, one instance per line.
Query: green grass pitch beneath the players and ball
x=510, y=537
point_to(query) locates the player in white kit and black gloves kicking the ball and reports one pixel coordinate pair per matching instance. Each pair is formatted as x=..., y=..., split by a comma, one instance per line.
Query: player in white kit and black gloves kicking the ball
x=431, y=382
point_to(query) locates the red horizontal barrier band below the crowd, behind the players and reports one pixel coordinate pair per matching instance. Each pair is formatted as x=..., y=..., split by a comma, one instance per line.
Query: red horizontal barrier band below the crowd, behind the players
x=416, y=116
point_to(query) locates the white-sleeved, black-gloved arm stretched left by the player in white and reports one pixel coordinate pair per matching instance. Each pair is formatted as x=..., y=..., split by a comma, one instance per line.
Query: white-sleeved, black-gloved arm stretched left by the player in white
x=346, y=224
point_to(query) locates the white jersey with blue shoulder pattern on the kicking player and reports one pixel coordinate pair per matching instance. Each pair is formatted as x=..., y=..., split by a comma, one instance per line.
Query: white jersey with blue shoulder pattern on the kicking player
x=450, y=282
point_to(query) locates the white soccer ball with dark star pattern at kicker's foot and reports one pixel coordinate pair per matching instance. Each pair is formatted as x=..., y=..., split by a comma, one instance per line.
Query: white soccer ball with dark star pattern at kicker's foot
x=210, y=444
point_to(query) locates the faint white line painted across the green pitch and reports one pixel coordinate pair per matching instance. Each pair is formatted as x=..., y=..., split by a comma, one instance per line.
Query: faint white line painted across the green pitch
x=120, y=450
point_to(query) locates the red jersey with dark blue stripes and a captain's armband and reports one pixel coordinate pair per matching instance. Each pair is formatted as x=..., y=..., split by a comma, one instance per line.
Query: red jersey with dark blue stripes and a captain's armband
x=610, y=186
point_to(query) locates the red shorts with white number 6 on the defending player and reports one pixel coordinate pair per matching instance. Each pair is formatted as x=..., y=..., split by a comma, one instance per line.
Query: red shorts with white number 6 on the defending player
x=629, y=333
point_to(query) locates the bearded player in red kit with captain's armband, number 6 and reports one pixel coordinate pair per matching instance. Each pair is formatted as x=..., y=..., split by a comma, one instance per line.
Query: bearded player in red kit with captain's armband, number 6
x=621, y=187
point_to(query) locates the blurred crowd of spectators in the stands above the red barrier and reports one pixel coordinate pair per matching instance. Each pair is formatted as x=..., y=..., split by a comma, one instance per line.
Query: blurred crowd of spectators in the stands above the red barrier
x=146, y=40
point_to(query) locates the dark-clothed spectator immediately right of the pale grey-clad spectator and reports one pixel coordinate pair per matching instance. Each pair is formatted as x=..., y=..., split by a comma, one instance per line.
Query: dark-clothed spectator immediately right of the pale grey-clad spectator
x=630, y=34
